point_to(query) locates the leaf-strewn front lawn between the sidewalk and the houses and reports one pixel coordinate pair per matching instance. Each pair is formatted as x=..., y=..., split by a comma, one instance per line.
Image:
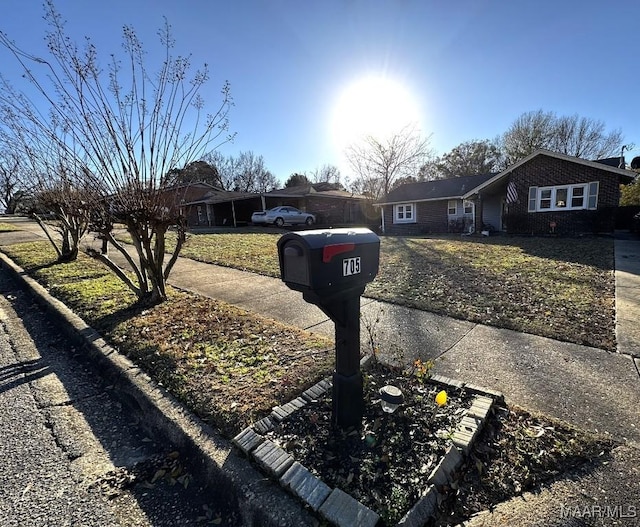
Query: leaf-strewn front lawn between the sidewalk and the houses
x=555, y=287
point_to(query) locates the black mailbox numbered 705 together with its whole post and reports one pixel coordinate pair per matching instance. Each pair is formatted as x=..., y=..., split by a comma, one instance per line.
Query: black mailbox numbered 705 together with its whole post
x=331, y=268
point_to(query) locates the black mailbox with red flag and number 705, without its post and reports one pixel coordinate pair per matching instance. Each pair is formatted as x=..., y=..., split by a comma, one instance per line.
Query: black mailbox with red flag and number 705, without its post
x=326, y=263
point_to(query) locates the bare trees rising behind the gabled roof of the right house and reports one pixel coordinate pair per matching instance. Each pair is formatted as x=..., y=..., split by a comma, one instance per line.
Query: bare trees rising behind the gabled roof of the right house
x=572, y=135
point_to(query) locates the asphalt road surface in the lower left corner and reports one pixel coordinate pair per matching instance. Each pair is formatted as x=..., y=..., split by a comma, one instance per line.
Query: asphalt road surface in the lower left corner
x=71, y=453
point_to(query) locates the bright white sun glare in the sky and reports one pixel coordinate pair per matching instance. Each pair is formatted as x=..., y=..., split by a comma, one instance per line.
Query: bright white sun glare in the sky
x=372, y=106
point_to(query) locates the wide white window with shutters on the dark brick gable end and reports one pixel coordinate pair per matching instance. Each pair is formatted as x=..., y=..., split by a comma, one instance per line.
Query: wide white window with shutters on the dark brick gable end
x=566, y=197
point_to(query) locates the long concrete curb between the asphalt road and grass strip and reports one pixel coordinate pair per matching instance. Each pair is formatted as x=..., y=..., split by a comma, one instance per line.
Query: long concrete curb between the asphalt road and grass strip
x=259, y=501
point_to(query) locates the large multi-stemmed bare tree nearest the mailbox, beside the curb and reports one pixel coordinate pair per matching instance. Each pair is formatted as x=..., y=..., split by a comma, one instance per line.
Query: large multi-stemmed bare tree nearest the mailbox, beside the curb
x=133, y=128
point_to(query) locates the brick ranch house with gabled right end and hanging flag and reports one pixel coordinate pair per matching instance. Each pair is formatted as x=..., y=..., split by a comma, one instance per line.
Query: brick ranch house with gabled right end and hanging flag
x=546, y=192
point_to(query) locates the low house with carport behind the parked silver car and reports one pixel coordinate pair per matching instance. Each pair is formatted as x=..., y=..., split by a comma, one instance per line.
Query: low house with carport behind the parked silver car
x=217, y=207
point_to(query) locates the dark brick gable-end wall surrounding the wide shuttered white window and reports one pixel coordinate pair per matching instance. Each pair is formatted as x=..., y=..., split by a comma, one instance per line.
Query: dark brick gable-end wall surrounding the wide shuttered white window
x=543, y=171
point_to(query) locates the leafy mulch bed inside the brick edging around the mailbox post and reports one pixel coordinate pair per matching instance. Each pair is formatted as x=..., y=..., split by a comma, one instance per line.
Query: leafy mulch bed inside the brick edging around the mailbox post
x=384, y=465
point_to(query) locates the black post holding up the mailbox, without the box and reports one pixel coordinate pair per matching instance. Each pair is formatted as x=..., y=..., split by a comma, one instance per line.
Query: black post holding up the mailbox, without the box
x=348, y=401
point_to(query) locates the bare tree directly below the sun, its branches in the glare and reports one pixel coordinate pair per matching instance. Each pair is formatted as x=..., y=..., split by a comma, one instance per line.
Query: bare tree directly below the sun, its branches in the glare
x=379, y=162
